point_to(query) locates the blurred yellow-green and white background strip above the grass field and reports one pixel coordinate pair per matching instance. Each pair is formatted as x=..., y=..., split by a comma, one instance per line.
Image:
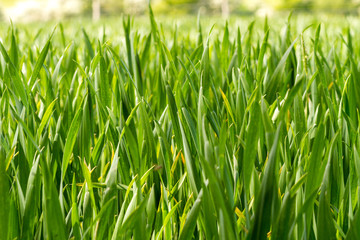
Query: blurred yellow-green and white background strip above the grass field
x=44, y=10
